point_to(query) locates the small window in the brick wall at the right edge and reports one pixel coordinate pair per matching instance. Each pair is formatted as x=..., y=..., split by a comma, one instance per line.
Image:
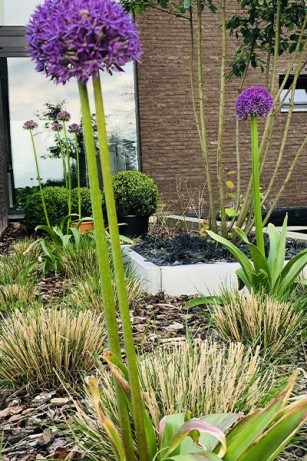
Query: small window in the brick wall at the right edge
x=300, y=95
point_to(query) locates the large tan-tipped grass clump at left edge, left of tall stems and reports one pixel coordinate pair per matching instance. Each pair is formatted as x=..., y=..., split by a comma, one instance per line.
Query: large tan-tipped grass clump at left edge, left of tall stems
x=39, y=347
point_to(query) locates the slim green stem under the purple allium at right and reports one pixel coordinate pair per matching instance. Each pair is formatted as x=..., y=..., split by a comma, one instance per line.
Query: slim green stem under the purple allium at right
x=256, y=184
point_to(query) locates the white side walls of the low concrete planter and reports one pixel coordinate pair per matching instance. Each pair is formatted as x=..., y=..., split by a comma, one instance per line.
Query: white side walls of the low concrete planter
x=191, y=279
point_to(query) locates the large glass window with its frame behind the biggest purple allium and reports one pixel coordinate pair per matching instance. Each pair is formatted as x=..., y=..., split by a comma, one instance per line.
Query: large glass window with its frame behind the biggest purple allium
x=25, y=92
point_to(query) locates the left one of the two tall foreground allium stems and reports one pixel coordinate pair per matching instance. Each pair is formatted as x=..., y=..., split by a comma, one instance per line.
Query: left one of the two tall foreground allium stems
x=104, y=265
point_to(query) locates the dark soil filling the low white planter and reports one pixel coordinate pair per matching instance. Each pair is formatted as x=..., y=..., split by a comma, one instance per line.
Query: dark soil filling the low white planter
x=193, y=249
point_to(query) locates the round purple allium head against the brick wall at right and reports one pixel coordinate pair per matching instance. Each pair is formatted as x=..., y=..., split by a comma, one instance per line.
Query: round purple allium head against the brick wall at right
x=255, y=100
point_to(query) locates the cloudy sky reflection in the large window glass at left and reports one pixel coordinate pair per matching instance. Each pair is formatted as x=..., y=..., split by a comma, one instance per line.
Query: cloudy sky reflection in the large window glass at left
x=29, y=91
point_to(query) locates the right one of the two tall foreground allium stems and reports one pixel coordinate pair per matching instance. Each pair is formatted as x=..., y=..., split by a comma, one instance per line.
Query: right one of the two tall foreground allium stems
x=136, y=398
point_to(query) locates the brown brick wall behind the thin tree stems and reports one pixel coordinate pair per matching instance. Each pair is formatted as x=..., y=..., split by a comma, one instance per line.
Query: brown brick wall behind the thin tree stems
x=170, y=150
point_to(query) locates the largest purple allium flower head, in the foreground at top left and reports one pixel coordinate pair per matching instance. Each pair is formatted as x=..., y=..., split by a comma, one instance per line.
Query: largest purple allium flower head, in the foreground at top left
x=76, y=38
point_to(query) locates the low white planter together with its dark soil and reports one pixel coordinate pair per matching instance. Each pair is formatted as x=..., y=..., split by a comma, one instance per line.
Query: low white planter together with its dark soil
x=188, y=264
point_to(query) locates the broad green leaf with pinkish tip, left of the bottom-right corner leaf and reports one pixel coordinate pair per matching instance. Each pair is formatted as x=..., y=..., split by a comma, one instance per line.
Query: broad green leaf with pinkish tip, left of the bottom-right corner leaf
x=252, y=426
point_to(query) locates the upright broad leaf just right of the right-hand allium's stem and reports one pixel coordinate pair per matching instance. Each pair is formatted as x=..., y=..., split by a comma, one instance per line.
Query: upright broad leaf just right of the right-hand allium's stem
x=276, y=259
